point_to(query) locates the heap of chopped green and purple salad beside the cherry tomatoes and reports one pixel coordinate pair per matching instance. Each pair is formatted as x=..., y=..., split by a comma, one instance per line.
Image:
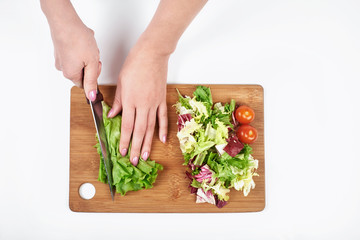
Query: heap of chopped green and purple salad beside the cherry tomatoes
x=216, y=159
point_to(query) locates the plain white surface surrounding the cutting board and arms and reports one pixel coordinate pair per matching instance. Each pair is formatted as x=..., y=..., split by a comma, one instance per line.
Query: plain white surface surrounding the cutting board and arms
x=306, y=55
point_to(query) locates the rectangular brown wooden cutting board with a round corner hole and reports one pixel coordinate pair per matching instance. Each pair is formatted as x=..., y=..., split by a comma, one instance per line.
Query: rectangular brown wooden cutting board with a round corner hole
x=170, y=192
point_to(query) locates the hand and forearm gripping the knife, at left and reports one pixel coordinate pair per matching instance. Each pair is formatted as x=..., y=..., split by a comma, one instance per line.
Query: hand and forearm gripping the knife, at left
x=75, y=49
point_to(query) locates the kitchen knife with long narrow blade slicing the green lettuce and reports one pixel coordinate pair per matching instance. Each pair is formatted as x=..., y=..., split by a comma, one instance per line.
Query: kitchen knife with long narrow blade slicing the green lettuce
x=97, y=111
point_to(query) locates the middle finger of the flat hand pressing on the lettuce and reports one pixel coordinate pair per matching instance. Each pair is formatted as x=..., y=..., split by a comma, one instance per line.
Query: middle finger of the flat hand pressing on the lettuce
x=138, y=135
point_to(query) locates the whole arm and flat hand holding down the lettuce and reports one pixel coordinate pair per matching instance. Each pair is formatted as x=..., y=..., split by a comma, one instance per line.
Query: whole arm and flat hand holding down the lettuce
x=141, y=88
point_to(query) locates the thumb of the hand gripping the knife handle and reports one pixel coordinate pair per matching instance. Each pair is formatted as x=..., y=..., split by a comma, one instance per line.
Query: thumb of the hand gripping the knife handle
x=91, y=73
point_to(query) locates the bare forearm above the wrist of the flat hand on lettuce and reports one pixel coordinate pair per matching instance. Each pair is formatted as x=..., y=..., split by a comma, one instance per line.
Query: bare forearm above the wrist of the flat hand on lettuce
x=169, y=23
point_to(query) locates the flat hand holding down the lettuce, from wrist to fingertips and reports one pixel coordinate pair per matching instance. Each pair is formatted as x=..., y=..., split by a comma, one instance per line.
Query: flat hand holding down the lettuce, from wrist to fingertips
x=141, y=95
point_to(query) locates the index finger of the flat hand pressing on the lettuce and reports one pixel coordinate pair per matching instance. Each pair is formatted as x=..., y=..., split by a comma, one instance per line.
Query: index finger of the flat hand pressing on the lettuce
x=127, y=124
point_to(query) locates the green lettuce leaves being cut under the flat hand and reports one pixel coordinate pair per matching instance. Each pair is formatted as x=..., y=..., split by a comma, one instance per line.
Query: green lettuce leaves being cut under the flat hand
x=126, y=177
